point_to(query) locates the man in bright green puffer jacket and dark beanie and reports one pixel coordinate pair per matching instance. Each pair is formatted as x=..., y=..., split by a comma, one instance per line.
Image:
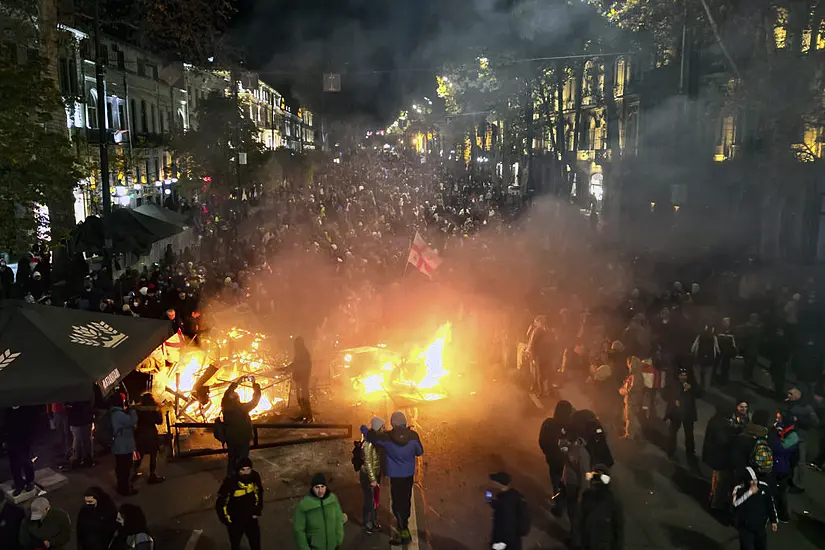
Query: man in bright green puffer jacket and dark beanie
x=319, y=521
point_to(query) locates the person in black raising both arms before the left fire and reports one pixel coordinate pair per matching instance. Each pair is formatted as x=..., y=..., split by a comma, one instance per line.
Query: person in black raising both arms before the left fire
x=237, y=423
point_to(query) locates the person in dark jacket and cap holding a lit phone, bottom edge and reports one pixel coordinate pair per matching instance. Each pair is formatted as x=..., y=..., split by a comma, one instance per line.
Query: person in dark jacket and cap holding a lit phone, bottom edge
x=511, y=518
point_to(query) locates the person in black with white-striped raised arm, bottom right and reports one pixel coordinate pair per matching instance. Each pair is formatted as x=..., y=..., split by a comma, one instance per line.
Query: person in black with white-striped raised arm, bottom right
x=753, y=510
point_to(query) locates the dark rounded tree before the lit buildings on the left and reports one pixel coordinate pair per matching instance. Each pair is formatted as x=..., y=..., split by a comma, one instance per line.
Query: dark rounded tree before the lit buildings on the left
x=210, y=150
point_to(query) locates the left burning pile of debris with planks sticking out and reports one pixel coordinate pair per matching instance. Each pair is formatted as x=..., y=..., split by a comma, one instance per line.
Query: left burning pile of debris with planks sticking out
x=201, y=376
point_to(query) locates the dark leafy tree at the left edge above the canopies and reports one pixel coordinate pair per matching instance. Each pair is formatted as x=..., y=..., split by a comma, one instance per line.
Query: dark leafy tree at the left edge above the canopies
x=37, y=166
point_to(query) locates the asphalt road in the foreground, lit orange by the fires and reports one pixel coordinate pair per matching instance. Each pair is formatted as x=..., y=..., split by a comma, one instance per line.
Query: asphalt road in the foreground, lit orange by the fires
x=485, y=426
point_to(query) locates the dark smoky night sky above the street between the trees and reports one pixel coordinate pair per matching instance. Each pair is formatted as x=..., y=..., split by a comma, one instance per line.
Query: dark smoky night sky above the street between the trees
x=381, y=47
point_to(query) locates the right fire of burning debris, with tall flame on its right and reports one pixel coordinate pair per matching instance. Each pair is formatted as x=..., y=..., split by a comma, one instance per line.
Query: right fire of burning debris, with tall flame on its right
x=415, y=376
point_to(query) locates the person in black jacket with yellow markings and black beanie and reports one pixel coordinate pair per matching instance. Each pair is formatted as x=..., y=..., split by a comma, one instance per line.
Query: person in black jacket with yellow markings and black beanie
x=239, y=505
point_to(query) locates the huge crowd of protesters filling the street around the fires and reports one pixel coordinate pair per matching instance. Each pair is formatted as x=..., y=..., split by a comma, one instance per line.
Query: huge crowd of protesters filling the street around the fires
x=644, y=349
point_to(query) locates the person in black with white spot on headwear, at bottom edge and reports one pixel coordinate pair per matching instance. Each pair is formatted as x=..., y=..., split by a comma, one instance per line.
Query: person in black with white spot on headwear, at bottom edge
x=601, y=521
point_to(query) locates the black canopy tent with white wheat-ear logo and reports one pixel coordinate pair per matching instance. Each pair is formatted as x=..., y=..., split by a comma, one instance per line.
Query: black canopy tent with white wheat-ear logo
x=50, y=354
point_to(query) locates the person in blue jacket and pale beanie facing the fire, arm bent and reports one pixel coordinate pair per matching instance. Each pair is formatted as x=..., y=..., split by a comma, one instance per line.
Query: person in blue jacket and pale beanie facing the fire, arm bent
x=402, y=446
